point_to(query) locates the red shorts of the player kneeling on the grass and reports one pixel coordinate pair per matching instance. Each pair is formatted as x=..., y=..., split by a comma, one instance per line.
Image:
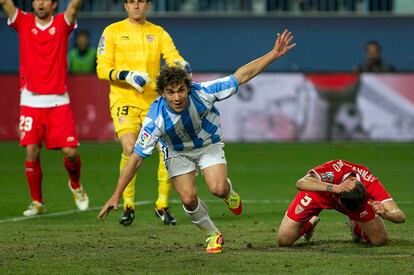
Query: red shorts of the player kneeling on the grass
x=308, y=204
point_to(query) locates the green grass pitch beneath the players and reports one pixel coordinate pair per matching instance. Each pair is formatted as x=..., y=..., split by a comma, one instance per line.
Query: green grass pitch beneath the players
x=66, y=241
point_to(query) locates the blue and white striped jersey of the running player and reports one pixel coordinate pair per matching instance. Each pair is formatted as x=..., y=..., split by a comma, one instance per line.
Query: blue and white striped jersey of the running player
x=195, y=127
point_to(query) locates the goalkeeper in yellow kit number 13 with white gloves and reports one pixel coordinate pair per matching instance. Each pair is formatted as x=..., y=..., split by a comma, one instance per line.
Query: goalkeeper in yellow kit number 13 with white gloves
x=129, y=56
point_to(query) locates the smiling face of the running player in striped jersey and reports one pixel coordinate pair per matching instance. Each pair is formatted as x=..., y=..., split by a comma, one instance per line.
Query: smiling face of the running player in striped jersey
x=176, y=96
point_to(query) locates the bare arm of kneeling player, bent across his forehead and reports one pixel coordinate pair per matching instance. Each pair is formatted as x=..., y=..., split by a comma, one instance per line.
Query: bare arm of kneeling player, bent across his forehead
x=311, y=183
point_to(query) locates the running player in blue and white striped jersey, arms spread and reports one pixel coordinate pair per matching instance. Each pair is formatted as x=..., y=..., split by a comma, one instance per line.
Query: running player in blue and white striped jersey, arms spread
x=186, y=123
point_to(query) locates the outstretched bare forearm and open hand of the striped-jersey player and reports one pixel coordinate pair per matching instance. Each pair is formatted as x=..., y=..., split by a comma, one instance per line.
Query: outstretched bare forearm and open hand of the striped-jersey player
x=281, y=47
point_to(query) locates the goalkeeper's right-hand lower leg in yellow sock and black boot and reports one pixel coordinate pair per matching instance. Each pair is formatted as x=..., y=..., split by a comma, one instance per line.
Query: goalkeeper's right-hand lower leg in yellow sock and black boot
x=164, y=187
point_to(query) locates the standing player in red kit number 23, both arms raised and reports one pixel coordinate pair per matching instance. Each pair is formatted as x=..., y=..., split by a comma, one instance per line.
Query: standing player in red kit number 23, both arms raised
x=45, y=113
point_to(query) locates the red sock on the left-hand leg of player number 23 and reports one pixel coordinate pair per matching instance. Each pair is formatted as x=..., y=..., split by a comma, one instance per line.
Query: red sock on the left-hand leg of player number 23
x=34, y=179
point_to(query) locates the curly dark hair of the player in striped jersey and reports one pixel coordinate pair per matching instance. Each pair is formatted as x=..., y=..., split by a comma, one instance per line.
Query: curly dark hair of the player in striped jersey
x=170, y=76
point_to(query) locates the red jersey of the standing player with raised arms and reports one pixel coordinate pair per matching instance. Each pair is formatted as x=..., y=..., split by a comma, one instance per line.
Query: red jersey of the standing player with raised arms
x=43, y=50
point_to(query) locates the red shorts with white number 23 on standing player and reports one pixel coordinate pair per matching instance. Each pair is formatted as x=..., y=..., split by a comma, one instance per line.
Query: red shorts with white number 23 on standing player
x=55, y=125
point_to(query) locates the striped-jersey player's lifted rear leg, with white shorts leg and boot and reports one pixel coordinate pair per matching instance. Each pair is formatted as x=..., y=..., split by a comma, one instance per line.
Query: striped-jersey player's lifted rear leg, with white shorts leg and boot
x=213, y=163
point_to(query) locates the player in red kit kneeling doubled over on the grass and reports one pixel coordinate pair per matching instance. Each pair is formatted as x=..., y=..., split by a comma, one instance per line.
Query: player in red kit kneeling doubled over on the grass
x=348, y=188
